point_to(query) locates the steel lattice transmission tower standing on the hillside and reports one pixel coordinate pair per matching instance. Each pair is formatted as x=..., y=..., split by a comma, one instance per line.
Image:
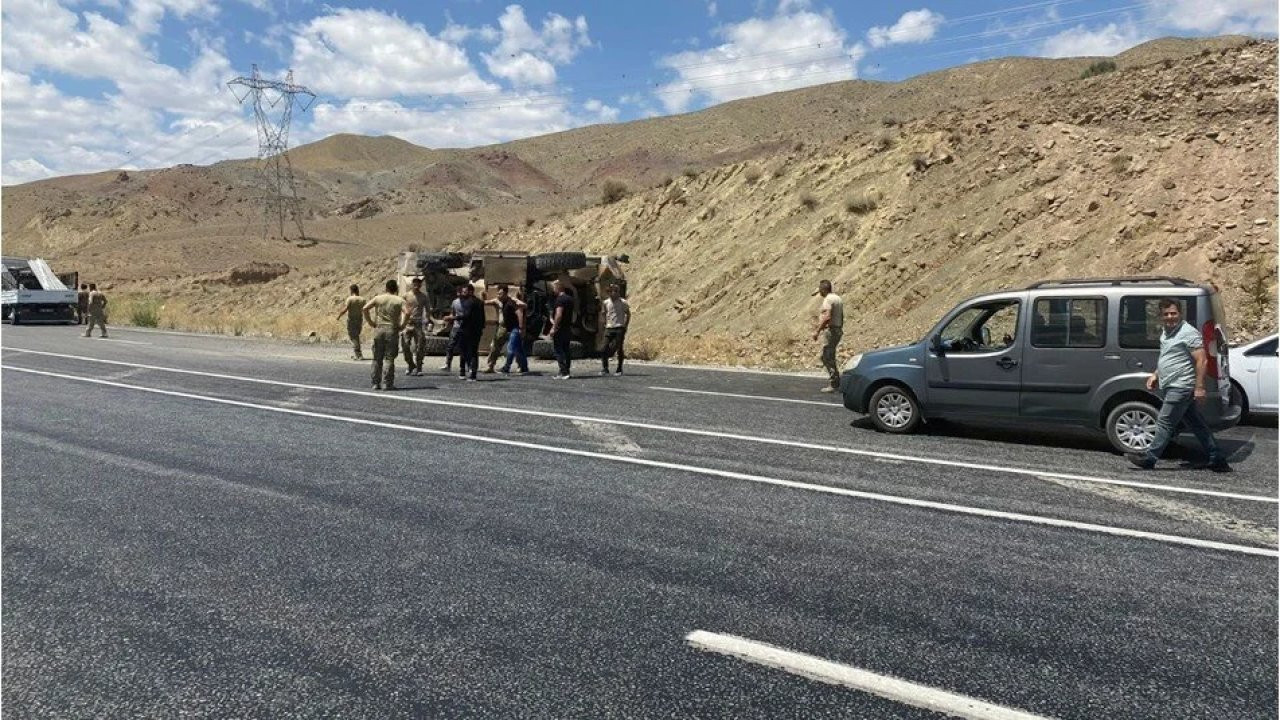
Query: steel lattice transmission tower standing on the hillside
x=276, y=98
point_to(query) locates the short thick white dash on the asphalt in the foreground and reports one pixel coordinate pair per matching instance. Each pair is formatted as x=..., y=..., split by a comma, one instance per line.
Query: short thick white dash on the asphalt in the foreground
x=885, y=686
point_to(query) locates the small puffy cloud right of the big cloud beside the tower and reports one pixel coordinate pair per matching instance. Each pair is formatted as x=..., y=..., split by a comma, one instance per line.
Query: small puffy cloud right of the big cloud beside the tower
x=529, y=57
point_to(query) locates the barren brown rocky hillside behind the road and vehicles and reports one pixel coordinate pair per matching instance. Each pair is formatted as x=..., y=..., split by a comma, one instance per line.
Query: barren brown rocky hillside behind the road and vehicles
x=908, y=195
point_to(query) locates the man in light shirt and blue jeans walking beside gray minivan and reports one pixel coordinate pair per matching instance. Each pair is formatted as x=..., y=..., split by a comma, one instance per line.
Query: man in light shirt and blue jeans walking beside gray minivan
x=1181, y=375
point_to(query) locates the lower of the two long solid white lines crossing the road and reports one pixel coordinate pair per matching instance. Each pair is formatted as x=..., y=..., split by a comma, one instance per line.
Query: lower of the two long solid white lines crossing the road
x=694, y=470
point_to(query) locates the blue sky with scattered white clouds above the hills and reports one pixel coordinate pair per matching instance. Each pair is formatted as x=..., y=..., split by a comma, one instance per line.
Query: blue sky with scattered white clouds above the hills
x=92, y=85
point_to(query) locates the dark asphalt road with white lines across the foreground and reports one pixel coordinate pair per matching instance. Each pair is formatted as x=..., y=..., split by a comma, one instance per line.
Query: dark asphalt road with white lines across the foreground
x=234, y=528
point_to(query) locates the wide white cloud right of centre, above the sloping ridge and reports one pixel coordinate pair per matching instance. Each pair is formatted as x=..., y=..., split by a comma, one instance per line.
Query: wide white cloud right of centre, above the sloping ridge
x=796, y=48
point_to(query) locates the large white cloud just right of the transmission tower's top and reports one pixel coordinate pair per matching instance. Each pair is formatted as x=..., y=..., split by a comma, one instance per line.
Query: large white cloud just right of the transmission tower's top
x=373, y=54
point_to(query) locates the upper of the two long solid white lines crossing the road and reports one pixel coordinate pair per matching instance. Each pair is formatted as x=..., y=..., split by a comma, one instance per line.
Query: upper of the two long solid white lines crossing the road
x=875, y=454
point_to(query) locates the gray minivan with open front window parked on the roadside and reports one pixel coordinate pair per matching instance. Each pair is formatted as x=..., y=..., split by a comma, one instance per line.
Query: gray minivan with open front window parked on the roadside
x=1075, y=352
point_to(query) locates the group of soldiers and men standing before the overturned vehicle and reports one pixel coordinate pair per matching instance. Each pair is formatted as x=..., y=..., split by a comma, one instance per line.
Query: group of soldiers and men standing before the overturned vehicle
x=403, y=325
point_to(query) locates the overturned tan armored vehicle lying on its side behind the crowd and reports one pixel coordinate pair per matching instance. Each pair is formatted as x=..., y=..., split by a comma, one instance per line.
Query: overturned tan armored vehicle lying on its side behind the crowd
x=528, y=277
